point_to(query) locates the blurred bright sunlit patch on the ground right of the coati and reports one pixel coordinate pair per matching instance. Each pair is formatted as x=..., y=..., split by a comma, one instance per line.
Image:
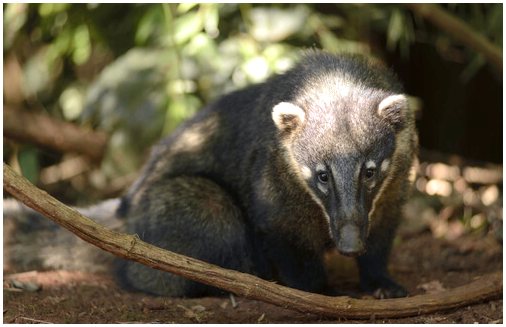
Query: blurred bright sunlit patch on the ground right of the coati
x=457, y=199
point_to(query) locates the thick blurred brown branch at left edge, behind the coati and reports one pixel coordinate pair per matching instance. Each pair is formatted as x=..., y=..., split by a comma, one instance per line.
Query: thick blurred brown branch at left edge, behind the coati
x=25, y=126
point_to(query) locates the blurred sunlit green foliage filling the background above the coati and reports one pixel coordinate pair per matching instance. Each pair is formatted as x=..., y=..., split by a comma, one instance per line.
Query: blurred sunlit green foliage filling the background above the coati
x=137, y=71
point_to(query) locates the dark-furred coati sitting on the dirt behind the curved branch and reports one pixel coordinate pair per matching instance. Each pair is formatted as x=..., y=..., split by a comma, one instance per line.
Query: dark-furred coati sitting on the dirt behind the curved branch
x=266, y=179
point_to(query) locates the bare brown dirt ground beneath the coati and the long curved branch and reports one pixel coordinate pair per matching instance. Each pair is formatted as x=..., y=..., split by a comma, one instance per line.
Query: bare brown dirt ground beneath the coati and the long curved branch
x=419, y=261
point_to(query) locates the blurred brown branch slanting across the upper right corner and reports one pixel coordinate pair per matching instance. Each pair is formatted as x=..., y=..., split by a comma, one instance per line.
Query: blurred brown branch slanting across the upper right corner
x=459, y=30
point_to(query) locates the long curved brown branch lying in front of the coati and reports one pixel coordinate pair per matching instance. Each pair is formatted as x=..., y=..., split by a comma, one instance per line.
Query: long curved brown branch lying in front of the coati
x=132, y=248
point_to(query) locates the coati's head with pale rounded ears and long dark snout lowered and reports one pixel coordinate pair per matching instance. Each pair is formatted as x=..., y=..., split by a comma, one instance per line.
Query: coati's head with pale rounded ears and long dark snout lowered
x=340, y=129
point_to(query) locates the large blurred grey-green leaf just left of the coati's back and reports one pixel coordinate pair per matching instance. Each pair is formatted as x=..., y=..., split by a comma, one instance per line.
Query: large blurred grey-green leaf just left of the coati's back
x=128, y=100
